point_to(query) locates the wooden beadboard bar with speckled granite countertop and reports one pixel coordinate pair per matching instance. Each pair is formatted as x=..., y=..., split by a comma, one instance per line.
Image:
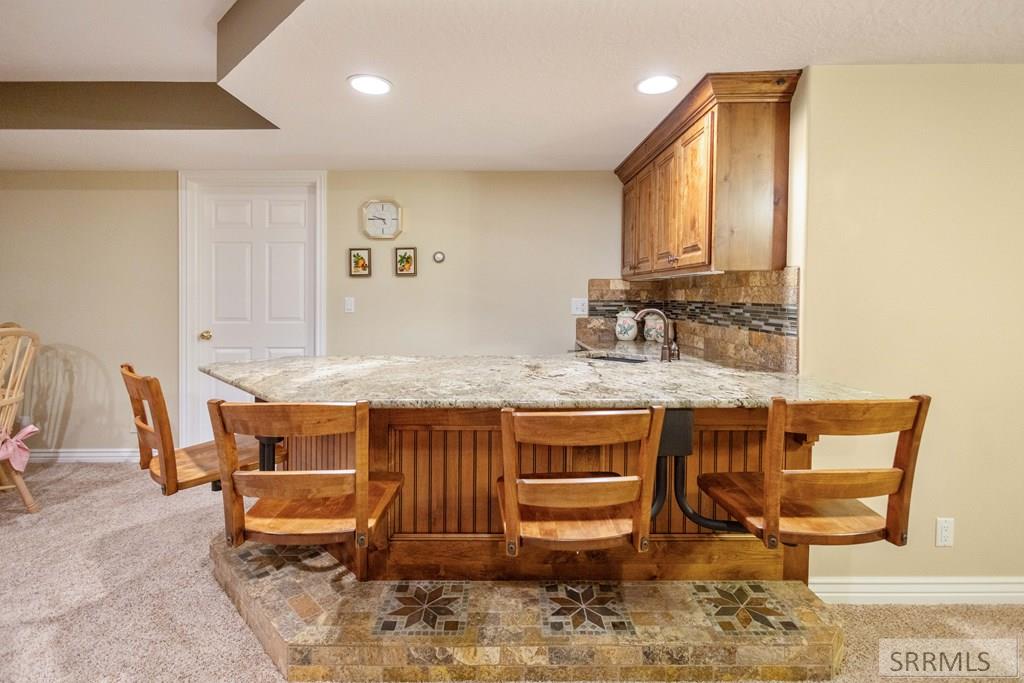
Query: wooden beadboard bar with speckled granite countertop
x=437, y=421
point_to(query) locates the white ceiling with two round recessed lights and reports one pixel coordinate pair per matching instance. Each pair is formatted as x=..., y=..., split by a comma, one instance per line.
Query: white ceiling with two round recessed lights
x=479, y=84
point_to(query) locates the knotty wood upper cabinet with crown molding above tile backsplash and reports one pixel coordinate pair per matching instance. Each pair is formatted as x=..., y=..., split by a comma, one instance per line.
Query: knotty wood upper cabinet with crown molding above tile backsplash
x=707, y=190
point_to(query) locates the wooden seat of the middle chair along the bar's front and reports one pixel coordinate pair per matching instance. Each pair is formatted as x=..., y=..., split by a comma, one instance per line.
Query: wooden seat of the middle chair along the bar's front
x=572, y=529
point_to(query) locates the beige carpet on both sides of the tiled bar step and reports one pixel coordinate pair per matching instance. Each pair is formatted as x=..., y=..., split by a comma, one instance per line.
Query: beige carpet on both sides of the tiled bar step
x=111, y=582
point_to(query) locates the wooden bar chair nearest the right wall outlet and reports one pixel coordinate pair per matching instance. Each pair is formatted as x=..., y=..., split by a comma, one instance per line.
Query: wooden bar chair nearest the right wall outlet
x=820, y=507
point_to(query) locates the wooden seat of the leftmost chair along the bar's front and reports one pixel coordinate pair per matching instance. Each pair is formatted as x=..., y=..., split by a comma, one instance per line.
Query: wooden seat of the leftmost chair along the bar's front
x=319, y=521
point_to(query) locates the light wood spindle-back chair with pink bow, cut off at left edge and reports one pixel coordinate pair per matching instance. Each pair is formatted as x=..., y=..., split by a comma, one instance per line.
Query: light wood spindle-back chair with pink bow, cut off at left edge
x=18, y=350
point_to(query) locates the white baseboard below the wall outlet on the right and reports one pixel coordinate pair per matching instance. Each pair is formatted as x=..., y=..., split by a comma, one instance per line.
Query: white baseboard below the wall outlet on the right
x=919, y=590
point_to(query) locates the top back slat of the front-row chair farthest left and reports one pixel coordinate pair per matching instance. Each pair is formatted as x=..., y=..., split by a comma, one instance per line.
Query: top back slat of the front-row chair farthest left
x=289, y=419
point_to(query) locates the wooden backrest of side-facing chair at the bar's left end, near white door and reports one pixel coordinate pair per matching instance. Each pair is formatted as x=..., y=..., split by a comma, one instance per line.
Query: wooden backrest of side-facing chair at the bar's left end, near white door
x=153, y=425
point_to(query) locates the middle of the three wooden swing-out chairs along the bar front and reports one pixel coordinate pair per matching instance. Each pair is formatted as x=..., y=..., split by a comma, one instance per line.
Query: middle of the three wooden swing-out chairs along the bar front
x=578, y=510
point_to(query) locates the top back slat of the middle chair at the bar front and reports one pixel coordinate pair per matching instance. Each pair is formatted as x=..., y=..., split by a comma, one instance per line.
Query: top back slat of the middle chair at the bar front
x=584, y=429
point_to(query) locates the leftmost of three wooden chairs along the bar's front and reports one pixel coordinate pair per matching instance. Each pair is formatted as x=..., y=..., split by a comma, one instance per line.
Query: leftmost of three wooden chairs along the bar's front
x=327, y=508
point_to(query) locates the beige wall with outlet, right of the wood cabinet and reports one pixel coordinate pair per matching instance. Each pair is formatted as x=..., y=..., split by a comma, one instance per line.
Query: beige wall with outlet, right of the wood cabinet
x=915, y=236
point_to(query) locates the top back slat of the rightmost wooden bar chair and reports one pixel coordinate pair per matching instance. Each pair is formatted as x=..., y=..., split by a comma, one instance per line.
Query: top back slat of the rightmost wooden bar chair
x=850, y=418
